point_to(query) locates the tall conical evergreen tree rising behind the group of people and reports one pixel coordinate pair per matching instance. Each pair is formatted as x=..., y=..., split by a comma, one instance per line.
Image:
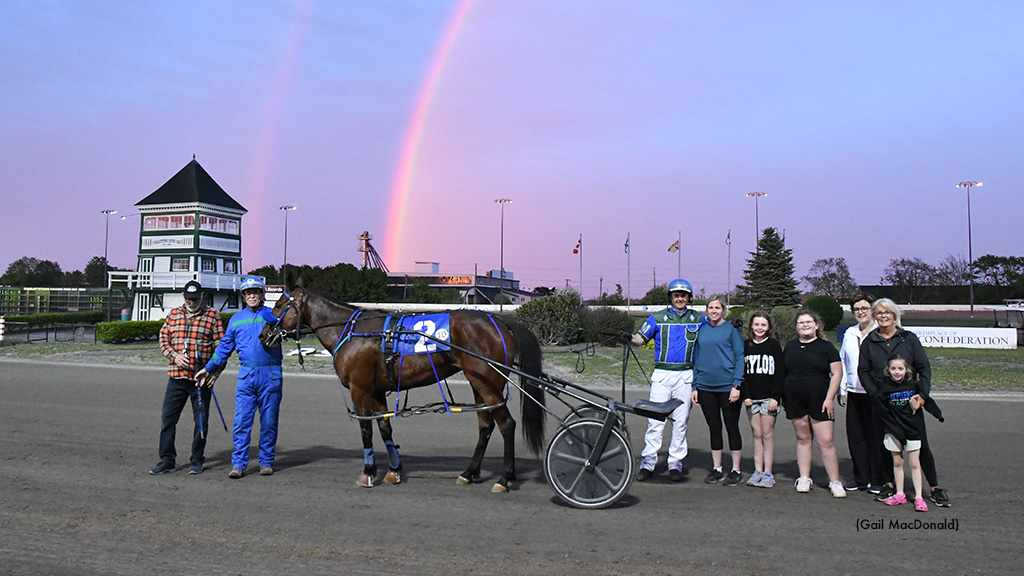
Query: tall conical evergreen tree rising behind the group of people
x=770, y=274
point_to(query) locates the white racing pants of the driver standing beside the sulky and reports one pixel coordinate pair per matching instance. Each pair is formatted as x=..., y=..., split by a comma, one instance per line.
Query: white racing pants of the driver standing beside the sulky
x=665, y=386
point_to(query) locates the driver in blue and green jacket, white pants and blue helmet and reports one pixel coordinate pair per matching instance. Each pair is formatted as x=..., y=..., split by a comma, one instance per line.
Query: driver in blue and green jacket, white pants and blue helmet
x=674, y=332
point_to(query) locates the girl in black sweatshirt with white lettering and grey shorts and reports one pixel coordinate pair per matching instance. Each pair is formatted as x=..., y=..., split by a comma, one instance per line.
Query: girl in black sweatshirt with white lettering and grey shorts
x=762, y=392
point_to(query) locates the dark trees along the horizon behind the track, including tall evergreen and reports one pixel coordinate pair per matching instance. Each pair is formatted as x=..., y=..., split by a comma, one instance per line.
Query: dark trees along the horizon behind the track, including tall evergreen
x=769, y=281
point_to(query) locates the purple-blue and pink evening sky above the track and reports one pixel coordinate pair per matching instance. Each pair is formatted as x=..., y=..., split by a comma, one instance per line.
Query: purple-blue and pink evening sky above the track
x=595, y=118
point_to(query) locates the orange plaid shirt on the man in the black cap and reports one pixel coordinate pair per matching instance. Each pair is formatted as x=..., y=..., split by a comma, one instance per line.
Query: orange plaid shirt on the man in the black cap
x=195, y=336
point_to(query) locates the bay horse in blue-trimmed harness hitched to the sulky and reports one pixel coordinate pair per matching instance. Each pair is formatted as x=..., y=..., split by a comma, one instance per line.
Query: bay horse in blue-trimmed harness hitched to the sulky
x=358, y=343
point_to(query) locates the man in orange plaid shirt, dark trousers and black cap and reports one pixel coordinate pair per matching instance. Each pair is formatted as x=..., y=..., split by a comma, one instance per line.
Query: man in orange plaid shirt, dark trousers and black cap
x=188, y=340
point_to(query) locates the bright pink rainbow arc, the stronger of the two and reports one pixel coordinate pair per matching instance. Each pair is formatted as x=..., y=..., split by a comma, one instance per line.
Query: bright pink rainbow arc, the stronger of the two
x=411, y=147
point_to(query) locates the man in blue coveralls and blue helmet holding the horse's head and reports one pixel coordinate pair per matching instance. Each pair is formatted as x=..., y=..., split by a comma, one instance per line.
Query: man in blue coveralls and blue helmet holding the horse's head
x=260, y=379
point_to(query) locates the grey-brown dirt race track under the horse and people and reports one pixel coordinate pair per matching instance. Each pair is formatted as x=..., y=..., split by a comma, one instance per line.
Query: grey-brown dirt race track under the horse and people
x=76, y=498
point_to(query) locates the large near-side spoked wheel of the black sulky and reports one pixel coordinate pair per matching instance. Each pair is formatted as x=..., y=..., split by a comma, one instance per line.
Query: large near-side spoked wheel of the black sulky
x=565, y=466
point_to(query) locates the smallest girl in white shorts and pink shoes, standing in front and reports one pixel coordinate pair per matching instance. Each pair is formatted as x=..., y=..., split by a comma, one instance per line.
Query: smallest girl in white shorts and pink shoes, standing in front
x=901, y=399
